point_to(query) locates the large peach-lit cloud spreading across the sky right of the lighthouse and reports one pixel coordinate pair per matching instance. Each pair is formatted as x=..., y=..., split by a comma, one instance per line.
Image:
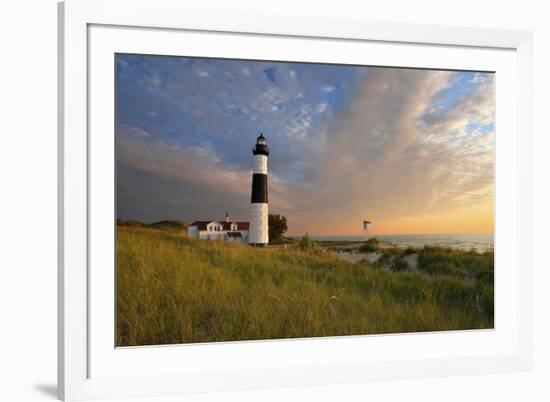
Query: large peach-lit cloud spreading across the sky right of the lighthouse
x=379, y=160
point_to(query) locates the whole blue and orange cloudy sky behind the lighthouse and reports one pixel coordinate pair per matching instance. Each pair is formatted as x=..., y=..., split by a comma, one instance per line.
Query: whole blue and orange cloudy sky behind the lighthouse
x=410, y=150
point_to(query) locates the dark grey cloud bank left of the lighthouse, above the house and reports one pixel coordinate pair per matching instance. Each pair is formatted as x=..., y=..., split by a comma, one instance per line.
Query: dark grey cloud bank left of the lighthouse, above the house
x=188, y=183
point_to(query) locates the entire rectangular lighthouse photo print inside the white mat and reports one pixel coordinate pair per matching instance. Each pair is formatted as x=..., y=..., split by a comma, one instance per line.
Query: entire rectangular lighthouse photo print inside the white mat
x=264, y=200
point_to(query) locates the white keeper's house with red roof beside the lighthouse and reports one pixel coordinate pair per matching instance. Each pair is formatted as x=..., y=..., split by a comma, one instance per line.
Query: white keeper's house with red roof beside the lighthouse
x=225, y=230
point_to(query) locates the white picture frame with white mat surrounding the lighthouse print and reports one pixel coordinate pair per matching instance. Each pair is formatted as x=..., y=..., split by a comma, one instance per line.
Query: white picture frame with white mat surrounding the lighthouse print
x=84, y=26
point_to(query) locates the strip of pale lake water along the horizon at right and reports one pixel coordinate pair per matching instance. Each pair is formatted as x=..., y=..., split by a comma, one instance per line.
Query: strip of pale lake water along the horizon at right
x=463, y=241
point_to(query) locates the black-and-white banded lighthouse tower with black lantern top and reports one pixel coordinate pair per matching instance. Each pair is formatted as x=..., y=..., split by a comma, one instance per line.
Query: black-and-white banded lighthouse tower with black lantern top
x=258, y=234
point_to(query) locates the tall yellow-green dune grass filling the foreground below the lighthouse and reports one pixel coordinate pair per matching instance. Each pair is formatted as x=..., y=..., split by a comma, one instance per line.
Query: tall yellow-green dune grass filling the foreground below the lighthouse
x=172, y=289
